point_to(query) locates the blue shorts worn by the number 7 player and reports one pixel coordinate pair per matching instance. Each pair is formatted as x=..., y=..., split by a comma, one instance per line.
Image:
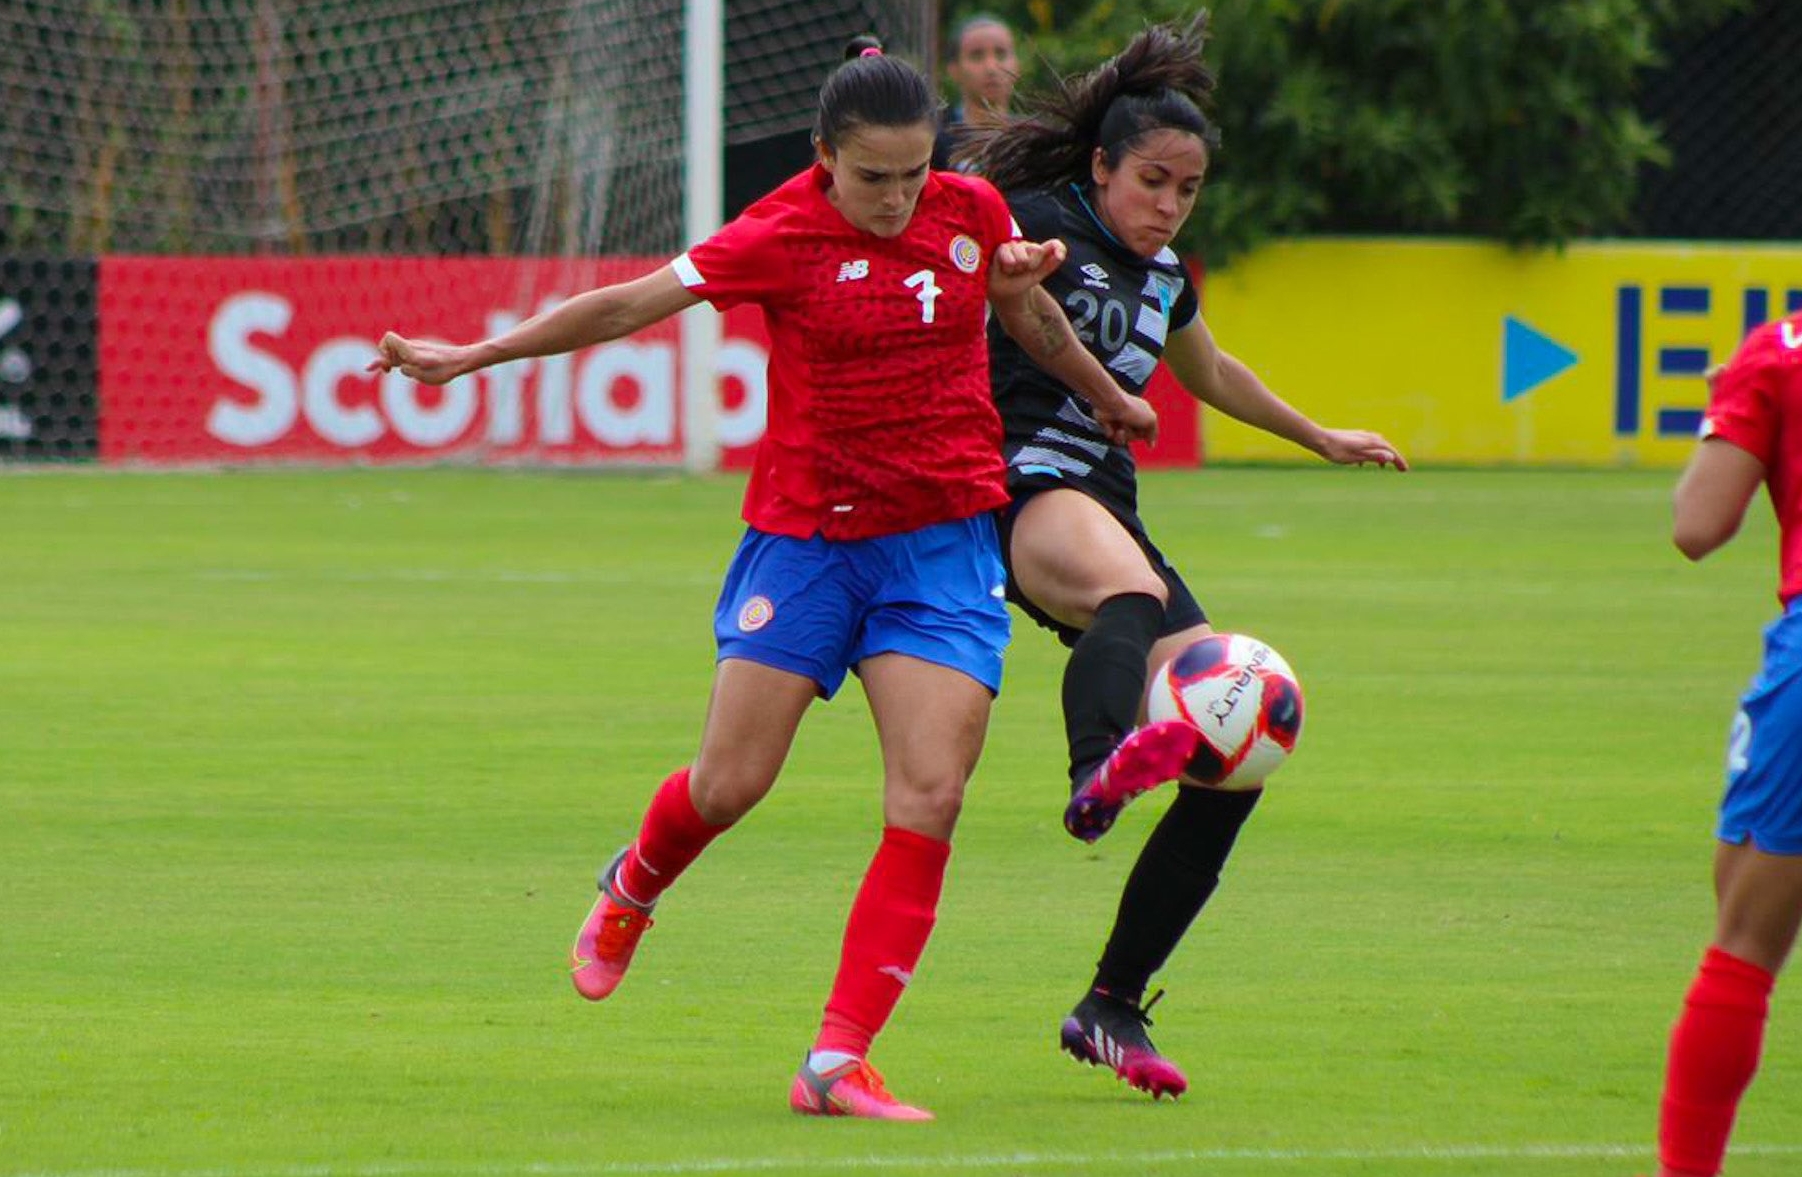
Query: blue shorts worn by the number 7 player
x=821, y=607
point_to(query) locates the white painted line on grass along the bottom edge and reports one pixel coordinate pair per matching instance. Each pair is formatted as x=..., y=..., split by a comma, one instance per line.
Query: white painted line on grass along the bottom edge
x=942, y=1163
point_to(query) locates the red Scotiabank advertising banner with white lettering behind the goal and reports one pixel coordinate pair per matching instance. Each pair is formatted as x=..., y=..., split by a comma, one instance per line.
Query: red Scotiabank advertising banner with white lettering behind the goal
x=250, y=361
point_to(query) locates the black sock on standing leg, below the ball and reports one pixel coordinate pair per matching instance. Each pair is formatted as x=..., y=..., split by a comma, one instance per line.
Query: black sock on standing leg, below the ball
x=1170, y=886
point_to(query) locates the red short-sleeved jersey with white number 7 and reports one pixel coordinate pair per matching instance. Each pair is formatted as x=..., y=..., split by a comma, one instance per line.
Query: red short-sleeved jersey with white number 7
x=880, y=410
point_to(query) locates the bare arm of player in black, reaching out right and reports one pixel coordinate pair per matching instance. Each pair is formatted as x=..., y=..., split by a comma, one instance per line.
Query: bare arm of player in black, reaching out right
x=1228, y=385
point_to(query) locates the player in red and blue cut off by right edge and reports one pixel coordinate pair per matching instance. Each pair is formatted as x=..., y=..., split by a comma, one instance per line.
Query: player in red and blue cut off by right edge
x=1752, y=435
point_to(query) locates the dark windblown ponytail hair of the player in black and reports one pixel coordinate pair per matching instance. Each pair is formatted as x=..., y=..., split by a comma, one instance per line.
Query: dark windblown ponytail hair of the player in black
x=1160, y=82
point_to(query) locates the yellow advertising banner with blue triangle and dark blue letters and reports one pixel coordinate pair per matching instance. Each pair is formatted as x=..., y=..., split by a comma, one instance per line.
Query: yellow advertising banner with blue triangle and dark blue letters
x=1473, y=354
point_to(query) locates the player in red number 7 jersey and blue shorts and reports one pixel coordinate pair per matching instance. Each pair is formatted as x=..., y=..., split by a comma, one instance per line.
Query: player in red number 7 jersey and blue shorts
x=871, y=542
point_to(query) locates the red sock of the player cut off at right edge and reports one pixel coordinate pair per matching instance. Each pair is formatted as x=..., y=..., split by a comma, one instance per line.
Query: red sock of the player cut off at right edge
x=1715, y=1052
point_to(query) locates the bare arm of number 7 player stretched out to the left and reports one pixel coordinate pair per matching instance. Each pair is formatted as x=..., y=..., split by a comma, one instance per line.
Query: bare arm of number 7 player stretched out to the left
x=587, y=320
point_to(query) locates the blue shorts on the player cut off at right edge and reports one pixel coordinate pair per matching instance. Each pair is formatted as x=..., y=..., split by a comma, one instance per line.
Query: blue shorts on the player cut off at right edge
x=1765, y=749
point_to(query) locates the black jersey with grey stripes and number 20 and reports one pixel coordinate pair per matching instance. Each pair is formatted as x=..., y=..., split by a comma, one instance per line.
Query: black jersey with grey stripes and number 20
x=1124, y=307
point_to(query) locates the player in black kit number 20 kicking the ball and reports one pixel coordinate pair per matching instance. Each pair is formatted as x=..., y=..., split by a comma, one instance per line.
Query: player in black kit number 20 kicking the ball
x=1113, y=163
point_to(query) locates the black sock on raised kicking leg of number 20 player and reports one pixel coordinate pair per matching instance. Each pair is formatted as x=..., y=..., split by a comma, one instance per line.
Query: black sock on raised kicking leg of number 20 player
x=1106, y=679
